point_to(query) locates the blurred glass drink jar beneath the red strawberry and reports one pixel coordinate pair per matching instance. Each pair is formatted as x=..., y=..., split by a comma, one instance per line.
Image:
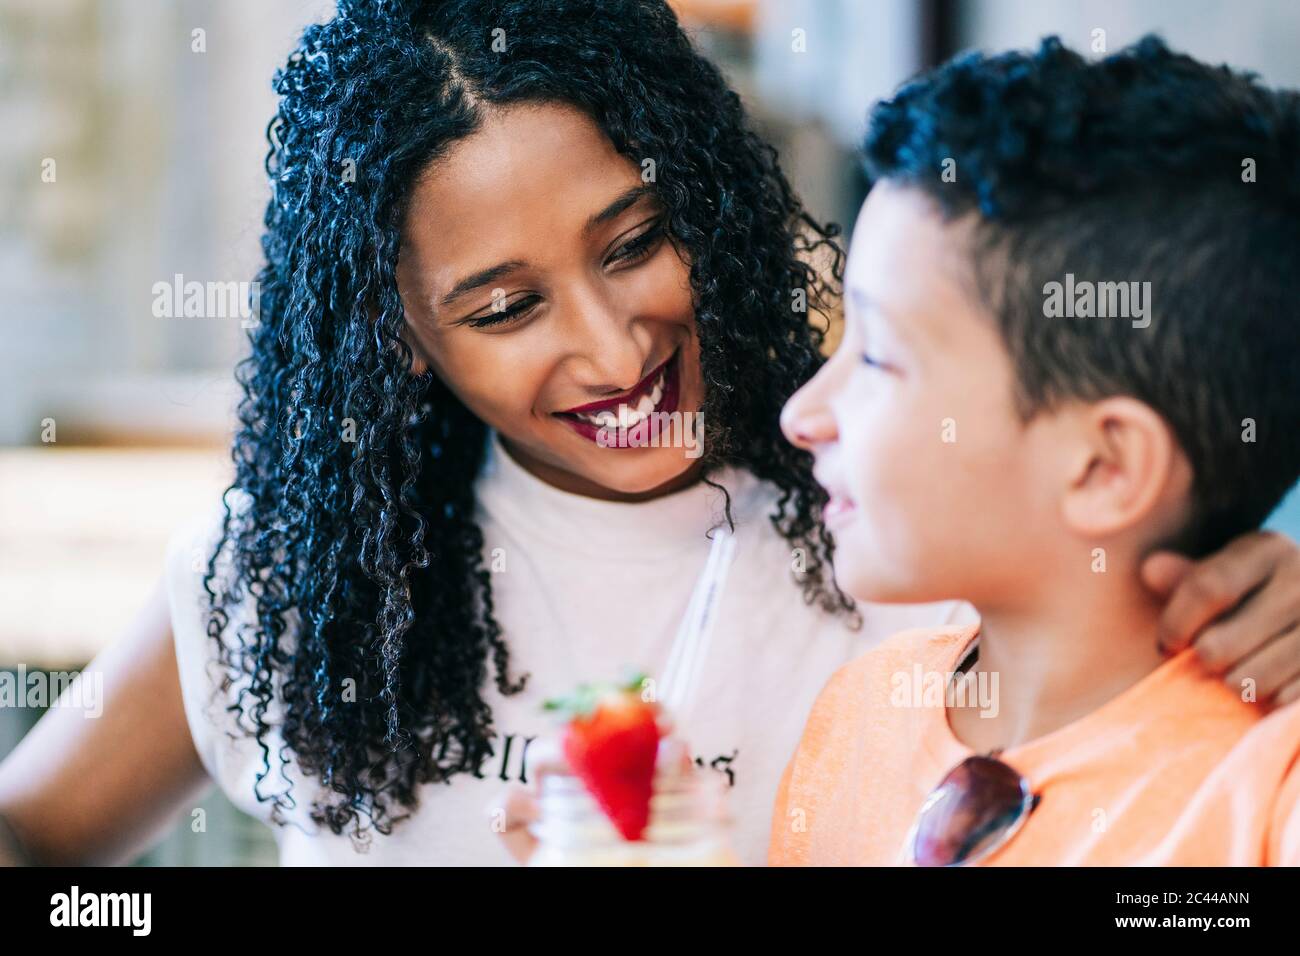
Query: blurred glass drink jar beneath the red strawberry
x=688, y=825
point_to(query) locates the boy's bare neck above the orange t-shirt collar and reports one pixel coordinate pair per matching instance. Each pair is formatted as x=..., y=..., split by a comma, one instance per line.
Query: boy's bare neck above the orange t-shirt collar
x=1060, y=659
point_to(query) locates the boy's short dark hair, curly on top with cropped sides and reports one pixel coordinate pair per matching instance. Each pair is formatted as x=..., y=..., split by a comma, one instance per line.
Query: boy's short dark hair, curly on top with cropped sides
x=1151, y=167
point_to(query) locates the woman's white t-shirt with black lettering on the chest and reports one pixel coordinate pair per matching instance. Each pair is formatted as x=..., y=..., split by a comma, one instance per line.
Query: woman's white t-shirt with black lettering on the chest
x=587, y=589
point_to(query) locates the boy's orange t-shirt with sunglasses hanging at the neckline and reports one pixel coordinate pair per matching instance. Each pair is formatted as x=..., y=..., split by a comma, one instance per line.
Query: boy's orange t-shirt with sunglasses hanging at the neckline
x=1176, y=772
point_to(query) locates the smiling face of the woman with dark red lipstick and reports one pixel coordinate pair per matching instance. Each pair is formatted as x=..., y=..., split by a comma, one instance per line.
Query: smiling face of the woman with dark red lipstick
x=539, y=280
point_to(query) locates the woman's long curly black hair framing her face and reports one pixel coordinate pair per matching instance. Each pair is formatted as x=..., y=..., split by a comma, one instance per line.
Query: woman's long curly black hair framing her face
x=356, y=543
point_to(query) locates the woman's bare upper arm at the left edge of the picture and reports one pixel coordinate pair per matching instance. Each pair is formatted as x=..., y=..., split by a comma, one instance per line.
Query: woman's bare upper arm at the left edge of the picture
x=98, y=790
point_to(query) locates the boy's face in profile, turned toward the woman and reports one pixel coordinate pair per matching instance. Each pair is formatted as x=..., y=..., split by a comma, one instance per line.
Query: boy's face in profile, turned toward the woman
x=938, y=490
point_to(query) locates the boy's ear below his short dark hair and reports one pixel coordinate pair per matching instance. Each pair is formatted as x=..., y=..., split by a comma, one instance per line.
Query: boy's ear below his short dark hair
x=1129, y=469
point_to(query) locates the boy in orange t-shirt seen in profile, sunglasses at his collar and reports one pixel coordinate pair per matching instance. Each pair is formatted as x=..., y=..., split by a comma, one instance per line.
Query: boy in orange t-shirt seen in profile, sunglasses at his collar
x=1072, y=338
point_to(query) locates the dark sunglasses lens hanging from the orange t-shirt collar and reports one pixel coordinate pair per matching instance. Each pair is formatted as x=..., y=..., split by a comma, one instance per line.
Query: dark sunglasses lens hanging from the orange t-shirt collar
x=969, y=812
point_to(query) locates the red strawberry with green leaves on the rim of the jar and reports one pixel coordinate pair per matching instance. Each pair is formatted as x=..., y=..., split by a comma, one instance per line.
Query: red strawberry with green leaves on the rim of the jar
x=612, y=742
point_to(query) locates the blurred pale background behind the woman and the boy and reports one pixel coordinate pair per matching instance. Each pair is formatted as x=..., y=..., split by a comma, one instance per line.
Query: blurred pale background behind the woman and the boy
x=133, y=154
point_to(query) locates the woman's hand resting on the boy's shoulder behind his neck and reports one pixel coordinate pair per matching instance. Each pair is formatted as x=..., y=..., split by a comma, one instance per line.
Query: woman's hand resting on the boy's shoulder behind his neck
x=1240, y=609
